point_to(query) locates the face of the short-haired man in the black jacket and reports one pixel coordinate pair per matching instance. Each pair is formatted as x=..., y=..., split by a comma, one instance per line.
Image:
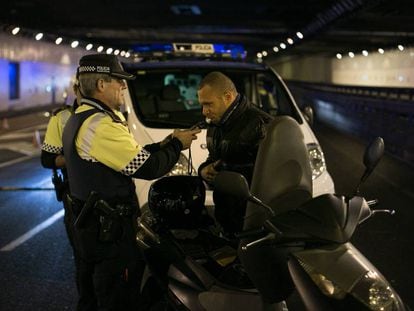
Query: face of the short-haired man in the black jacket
x=214, y=105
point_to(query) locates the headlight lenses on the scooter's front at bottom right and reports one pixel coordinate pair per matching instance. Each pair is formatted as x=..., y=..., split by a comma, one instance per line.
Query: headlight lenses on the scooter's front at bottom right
x=372, y=290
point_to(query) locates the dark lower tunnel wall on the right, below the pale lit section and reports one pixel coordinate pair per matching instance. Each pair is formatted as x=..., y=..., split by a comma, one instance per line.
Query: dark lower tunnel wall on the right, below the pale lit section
x=364, y=112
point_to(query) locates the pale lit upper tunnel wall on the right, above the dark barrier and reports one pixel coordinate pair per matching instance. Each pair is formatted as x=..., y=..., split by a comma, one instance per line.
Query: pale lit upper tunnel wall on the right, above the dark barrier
x=394, y=68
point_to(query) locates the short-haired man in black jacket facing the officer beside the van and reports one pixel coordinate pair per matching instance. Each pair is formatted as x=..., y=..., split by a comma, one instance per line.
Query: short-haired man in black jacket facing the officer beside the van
x=233, y=137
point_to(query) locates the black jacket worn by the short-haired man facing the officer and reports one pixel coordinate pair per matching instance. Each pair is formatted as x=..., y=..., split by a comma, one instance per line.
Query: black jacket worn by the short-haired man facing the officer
x=235, y=139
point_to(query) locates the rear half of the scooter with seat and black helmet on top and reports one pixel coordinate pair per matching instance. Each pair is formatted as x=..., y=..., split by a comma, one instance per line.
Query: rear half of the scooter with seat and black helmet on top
x=189, y=265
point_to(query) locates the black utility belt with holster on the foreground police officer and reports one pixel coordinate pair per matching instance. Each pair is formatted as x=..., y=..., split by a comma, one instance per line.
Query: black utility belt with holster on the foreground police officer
x=108, y=219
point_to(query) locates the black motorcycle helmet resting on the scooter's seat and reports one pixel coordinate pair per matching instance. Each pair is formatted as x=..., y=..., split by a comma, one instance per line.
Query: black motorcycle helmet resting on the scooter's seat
x=177, y=202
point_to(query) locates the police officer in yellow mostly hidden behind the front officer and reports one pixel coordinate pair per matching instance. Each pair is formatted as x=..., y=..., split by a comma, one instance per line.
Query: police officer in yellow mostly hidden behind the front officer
x=52, y=156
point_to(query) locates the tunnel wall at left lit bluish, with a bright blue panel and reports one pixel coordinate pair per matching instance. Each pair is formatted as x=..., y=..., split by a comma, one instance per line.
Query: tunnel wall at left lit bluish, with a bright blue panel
x=44, y=72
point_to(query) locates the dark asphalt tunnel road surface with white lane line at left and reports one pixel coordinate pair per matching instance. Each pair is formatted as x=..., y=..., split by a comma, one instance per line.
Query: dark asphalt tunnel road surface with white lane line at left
x=38, y=274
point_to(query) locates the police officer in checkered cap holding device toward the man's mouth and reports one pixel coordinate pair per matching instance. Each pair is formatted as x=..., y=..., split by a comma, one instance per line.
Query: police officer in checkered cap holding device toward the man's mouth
x=101, y=158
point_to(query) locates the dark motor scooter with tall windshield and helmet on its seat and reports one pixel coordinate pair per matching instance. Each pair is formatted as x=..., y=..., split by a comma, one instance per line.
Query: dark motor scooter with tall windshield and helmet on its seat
x=290, y=242
